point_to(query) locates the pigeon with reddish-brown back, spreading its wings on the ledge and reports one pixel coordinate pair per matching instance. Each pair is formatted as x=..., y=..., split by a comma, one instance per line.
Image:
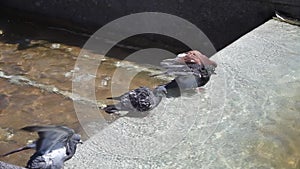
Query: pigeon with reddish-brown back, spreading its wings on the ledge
x=191, y=70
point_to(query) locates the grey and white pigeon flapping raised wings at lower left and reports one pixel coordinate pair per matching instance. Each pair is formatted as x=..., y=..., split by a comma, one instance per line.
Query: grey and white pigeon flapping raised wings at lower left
x=55, y=145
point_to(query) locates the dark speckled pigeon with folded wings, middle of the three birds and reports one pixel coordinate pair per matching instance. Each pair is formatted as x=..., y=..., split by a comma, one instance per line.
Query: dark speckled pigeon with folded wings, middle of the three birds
x=141, y=99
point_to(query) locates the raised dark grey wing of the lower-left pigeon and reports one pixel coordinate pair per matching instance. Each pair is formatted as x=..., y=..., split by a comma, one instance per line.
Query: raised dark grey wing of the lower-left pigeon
x=49, y=136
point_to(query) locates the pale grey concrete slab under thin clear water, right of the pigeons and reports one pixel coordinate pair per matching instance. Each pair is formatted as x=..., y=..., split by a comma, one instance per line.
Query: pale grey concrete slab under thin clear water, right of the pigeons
x=247, y=117
